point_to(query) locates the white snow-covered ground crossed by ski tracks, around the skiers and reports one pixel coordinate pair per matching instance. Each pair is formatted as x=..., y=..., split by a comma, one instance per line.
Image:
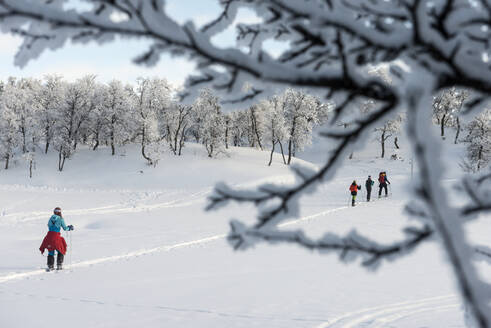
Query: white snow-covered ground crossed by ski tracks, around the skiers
x=144, y=253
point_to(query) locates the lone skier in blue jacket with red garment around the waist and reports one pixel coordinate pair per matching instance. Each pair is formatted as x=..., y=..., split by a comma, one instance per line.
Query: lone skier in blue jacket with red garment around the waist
x=54, y=241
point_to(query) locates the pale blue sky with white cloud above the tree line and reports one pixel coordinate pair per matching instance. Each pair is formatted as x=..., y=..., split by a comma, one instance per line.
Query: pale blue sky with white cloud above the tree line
x=113, y=60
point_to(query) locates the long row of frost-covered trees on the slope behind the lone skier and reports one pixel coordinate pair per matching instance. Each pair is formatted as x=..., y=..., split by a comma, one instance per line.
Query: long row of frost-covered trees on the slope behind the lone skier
x=52, y=114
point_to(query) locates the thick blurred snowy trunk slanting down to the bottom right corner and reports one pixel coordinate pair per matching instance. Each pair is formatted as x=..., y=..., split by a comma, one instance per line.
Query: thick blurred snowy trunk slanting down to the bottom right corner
x=446, y=221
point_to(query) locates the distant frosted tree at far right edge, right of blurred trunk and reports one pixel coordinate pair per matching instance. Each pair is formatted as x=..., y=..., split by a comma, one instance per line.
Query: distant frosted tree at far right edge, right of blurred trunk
x=478, y=139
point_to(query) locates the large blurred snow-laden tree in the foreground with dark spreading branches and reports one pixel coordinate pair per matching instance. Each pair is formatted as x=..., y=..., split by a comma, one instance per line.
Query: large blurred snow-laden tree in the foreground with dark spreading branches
x=429, y=45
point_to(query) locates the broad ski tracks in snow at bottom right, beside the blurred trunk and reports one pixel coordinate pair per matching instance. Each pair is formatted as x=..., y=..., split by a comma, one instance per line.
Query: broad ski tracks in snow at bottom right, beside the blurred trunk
x=380, y=316
